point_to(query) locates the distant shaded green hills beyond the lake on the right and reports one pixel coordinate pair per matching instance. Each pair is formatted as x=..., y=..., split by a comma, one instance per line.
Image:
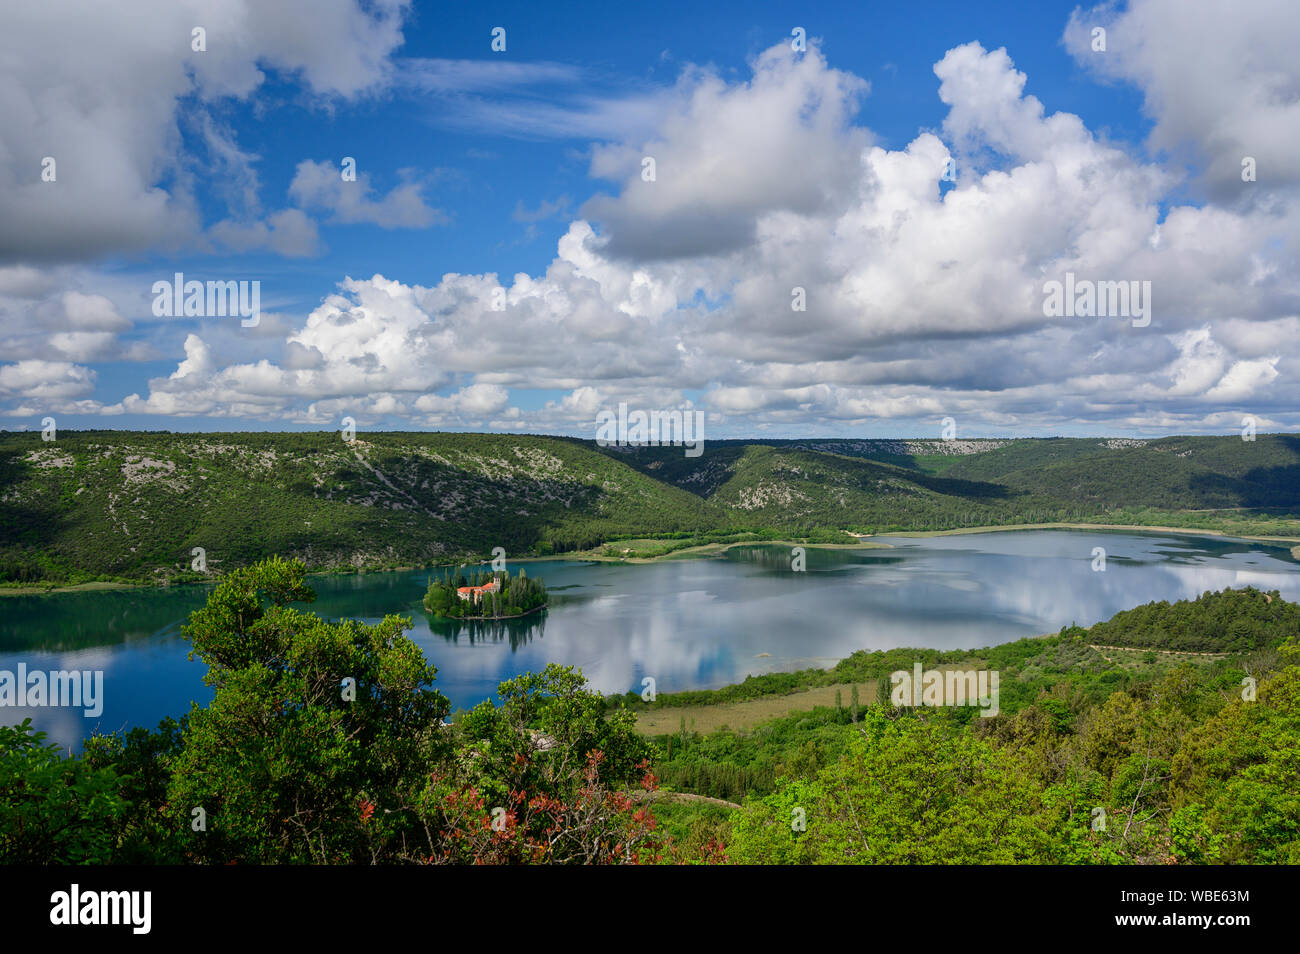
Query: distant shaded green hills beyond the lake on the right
x=1086, y=475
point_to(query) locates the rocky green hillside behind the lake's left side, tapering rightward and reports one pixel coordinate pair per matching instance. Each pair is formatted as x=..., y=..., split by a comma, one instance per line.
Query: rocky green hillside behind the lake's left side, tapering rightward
x=135, y=506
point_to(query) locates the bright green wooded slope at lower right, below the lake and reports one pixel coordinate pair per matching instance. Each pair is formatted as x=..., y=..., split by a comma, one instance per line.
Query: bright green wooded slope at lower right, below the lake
x=1095, y=758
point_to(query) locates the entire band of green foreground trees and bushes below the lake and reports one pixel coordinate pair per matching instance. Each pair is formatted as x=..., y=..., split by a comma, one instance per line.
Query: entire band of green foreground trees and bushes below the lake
x=327, y=743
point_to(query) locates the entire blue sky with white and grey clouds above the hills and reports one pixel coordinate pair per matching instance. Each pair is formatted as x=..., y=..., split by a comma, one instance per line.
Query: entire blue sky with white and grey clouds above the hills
x=801, y=220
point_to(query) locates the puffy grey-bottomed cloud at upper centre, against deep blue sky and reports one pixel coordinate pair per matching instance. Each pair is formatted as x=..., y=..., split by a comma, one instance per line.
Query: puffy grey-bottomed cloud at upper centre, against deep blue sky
x=731, y=154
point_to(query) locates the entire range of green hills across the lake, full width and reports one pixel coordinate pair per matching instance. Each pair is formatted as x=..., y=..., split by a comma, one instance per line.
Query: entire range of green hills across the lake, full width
x=133, y=506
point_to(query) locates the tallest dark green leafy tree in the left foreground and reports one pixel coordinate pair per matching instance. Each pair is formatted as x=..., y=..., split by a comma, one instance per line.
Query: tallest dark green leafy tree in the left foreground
x=311, y=722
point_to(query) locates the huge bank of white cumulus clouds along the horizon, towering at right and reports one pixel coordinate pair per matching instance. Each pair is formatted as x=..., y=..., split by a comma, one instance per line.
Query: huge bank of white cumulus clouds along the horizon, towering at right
x=922, y=301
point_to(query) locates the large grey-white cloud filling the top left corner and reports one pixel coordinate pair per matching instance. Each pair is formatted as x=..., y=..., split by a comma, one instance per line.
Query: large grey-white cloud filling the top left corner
x=99, y=90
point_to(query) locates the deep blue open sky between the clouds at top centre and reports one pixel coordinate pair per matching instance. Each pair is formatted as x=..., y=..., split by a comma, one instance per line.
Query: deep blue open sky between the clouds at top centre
x=486, y=172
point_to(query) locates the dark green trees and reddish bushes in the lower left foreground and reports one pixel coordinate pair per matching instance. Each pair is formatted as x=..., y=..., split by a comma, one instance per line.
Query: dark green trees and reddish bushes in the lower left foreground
x=327, y=743
